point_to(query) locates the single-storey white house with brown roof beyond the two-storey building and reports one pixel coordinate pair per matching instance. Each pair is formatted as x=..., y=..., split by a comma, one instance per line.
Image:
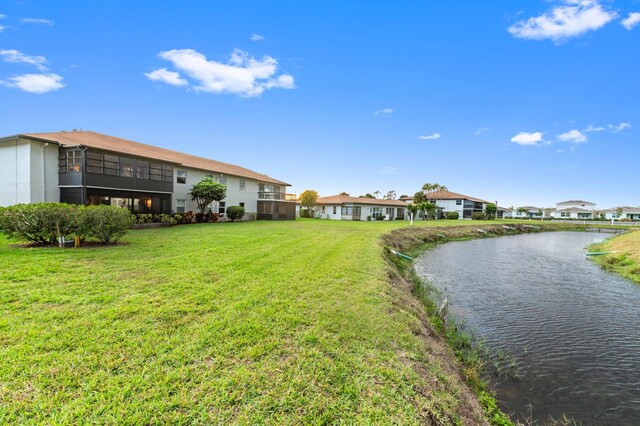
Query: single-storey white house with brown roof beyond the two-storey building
x=344, y=207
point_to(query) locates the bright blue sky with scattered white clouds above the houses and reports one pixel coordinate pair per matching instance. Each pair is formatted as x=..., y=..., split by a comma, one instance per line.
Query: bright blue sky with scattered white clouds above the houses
x=524, y=102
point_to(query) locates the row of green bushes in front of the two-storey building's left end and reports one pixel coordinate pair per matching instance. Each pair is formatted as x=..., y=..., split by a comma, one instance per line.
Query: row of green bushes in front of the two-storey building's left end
x=46, y=223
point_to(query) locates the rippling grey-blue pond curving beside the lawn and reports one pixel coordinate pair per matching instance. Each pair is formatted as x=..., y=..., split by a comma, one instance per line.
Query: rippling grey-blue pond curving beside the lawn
x=572, y=329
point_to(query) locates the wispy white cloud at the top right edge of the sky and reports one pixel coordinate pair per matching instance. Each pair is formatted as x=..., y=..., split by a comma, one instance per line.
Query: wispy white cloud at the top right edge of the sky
x=573, y=18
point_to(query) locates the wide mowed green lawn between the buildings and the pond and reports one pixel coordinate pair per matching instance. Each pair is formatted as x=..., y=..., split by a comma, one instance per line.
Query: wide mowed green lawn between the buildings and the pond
x=258, y=322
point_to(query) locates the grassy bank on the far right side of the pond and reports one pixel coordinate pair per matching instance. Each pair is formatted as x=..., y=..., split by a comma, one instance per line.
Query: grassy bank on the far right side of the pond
x=626, y=260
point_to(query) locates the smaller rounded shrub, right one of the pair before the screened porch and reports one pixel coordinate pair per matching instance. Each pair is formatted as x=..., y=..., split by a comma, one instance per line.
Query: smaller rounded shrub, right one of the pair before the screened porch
x=105, y=223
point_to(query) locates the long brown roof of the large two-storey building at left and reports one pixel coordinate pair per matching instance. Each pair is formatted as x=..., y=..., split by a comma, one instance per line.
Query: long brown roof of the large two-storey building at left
x=124, y=146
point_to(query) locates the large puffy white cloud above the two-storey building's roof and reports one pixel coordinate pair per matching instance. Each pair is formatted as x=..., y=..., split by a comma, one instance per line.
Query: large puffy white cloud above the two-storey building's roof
x=242, y=75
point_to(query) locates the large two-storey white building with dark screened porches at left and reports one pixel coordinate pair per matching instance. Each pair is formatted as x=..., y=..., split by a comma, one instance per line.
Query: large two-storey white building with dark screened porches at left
x=83, y=167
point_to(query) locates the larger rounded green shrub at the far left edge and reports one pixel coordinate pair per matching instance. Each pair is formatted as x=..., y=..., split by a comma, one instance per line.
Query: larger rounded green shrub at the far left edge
x=40, y=223
